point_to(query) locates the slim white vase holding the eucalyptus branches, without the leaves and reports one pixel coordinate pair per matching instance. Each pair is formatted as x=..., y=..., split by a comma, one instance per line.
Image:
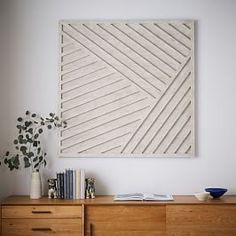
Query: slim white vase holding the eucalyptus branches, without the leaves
x=35, y=186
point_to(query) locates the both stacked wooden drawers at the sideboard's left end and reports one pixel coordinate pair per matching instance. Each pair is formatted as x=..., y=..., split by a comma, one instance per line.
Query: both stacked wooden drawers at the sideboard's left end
x=41, y=220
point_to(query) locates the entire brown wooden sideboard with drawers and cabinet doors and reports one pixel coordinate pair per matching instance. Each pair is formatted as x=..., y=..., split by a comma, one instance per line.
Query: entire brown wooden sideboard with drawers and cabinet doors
x=104, y=217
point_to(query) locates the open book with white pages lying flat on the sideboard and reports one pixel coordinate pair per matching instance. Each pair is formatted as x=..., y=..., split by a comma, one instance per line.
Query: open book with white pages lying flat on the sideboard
x=143, y=197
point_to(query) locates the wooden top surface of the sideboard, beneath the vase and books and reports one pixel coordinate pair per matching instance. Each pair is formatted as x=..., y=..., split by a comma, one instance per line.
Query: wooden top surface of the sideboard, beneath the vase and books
x=108, y=200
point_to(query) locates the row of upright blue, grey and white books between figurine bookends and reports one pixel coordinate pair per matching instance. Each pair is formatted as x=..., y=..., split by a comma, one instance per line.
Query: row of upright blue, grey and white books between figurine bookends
x=71, y=184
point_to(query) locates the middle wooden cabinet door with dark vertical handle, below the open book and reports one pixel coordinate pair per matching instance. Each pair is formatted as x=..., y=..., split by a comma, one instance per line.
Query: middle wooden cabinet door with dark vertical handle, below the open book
x=120, y=220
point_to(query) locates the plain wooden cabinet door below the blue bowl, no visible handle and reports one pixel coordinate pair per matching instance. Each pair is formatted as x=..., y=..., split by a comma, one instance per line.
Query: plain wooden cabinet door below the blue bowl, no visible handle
x=204, y=220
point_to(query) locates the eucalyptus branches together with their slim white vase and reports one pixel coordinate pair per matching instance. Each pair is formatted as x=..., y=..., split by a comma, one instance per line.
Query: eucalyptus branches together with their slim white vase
x=29, y=152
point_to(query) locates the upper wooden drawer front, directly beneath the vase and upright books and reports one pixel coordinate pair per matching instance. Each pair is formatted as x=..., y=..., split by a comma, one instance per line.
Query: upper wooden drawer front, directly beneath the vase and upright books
x=41, y=212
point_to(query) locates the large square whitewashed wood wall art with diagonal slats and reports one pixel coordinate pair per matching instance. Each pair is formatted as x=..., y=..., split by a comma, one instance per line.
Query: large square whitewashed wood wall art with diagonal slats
x=127, y=88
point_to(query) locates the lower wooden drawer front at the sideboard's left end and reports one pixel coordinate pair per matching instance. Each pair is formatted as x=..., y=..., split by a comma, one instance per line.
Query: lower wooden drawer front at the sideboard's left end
x=28, y=227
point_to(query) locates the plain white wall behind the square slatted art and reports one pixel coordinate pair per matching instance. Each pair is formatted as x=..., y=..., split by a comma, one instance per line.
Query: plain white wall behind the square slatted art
x=32, y=85
